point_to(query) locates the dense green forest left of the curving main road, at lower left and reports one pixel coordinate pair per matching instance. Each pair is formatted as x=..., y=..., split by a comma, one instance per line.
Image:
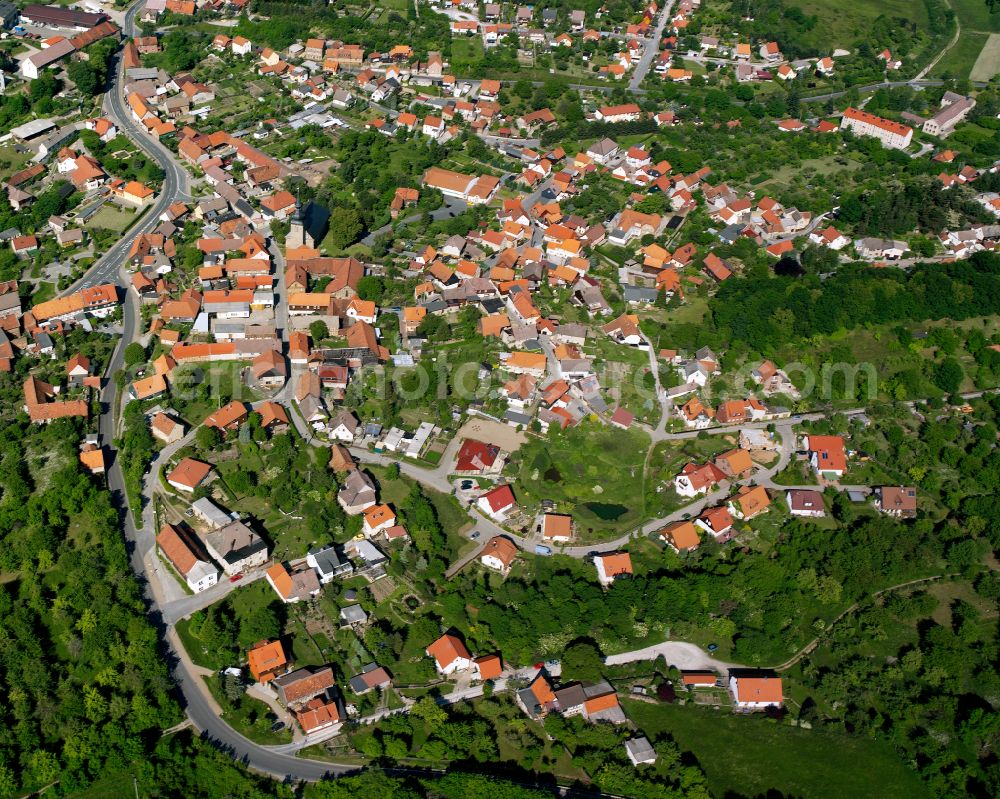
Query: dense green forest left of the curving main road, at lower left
x=86, y=689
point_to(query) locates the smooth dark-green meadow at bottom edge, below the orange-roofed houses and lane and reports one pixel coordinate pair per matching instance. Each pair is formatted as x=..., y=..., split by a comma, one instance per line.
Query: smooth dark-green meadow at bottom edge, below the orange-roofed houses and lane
x=750, y=756
